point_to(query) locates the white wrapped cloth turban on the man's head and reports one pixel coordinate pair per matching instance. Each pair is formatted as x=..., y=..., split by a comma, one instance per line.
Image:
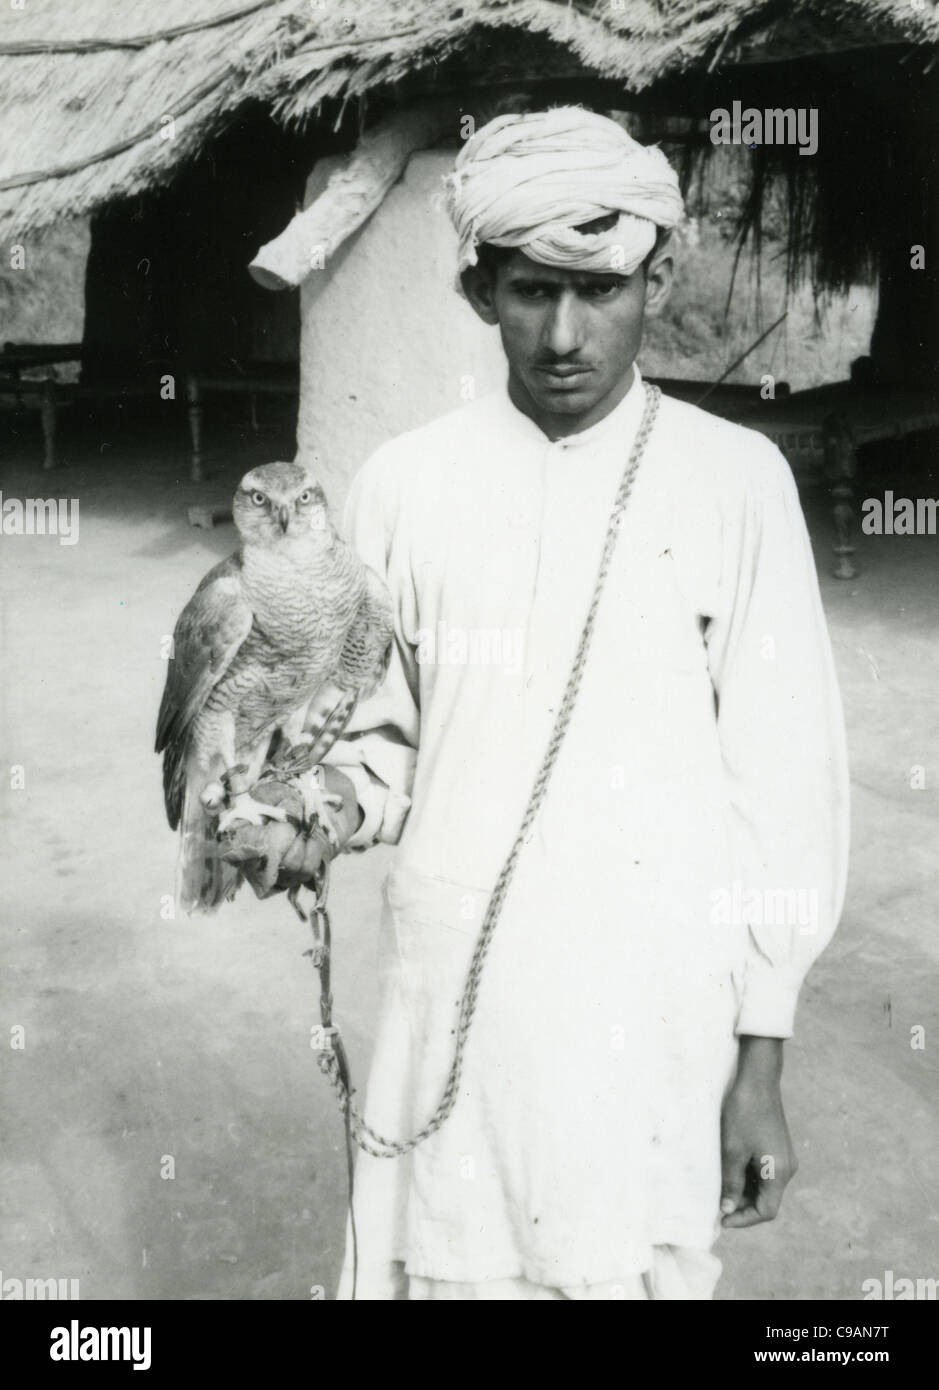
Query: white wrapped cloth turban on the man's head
x=530, y=181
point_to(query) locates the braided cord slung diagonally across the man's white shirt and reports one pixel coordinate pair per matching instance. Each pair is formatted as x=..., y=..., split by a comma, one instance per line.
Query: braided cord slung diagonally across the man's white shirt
x=367, y=1139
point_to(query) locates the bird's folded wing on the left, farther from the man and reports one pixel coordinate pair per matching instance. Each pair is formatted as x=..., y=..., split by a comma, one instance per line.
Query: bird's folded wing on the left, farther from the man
x=210, y=630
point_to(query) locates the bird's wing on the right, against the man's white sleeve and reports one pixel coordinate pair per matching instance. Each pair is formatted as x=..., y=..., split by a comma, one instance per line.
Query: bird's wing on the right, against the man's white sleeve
x=362, y=668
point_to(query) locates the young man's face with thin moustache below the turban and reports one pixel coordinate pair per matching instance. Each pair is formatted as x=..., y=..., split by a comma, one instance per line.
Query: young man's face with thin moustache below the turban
x=570, y=337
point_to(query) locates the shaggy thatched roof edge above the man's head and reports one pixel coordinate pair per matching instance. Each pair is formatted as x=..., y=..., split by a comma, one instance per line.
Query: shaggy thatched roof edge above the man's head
x=85, y=87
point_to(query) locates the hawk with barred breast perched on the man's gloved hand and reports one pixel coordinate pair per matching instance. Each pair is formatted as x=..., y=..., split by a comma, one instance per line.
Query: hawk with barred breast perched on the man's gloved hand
x=291, y=623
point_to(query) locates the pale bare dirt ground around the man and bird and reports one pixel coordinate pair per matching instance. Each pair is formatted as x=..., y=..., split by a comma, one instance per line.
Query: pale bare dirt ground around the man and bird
x=151, y=1040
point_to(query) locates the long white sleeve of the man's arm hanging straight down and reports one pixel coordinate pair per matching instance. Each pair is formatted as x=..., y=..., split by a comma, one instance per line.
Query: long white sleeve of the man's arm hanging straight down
x=783, y=746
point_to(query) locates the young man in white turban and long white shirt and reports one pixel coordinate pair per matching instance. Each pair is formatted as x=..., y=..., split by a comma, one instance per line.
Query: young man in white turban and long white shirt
x=619, y=1095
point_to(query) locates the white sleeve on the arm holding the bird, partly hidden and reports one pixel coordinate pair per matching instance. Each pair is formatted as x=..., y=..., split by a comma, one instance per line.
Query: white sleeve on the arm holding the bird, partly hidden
x=379, y=751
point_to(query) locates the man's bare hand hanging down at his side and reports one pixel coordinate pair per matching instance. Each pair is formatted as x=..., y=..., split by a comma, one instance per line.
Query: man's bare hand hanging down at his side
x=758, y=1157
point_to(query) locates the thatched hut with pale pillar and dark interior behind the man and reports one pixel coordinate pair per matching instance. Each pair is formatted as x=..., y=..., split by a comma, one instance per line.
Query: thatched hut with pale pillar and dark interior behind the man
x=191, y=133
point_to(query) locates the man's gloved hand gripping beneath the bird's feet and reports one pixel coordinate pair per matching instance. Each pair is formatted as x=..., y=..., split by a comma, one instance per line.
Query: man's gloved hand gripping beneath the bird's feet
x=280, y=854
